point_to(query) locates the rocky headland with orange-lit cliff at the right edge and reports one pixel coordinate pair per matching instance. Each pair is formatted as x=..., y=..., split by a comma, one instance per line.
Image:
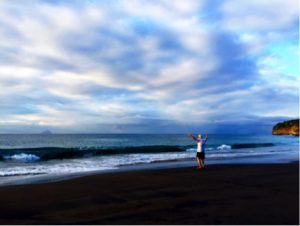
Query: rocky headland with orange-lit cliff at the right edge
x=290, y=127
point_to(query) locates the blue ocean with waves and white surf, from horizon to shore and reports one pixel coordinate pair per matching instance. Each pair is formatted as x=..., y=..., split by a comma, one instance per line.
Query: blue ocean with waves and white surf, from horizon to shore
x=31, y=155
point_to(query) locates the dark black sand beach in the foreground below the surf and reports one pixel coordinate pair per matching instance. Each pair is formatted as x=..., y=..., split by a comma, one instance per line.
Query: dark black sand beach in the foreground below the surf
x=220, y=194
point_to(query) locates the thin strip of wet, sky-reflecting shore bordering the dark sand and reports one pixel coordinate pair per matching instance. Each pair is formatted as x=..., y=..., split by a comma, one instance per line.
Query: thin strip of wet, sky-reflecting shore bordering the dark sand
x=156, y=165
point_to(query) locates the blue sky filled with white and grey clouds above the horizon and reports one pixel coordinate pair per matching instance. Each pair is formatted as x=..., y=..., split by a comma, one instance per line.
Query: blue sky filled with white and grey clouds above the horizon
x=139, y=66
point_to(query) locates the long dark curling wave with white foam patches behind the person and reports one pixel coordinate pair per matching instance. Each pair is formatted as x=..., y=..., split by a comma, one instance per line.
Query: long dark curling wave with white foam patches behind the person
x=51, y=153
